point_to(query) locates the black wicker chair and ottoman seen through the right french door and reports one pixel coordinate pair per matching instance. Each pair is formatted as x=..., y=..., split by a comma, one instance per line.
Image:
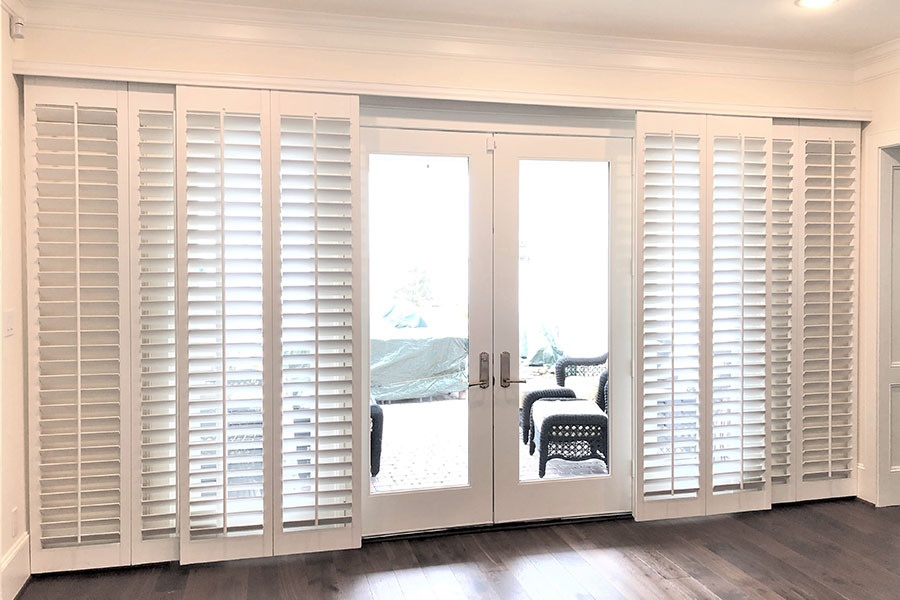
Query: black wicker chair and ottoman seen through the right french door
x=563, y=426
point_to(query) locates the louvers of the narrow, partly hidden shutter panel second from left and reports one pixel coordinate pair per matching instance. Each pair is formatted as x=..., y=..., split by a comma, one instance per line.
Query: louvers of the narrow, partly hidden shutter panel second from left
x=156, y=302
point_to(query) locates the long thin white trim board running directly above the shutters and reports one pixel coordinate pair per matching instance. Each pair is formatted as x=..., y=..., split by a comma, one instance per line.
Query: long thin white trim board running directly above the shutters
x=141, y=75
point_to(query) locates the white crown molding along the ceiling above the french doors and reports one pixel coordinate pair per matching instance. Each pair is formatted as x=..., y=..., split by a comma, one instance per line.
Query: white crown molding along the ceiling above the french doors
x=177, y=19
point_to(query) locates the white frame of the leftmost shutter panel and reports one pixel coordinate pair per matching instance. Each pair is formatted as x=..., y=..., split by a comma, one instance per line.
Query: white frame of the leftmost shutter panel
x=93, y=97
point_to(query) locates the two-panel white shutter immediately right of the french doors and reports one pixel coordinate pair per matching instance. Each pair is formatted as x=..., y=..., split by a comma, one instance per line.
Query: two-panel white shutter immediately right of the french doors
x=704, y=292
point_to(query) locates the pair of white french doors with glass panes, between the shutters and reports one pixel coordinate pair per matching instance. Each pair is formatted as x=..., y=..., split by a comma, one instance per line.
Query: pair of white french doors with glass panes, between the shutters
x=489, y=260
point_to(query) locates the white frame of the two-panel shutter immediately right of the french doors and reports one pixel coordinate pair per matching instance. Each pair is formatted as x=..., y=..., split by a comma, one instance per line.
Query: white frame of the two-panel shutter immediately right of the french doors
x=708, y=131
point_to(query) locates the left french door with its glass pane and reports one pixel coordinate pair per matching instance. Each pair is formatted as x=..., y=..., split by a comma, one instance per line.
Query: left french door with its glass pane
x=427, y=240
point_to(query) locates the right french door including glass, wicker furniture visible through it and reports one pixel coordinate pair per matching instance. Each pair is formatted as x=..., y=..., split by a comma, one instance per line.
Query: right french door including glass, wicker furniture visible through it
x=562, y=288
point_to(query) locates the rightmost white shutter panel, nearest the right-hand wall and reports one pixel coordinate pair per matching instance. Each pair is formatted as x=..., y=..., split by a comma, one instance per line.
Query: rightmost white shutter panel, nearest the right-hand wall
x=827, y=462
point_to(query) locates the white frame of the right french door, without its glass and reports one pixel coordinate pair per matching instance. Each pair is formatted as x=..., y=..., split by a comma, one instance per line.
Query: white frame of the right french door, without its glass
x=553, y=498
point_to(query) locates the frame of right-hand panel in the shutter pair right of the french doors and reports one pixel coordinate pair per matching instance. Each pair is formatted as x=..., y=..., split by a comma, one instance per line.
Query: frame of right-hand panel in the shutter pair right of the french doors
x=753, y=138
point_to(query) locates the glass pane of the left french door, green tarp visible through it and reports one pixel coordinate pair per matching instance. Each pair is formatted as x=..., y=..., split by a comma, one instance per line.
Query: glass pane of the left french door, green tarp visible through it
x=419, y=319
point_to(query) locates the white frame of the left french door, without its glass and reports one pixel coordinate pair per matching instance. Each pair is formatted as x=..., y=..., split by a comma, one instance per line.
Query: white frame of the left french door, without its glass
x=416, y=510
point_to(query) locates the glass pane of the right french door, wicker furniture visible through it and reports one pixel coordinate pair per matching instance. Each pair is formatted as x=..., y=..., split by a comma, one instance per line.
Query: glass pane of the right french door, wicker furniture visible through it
x=563, y=310
